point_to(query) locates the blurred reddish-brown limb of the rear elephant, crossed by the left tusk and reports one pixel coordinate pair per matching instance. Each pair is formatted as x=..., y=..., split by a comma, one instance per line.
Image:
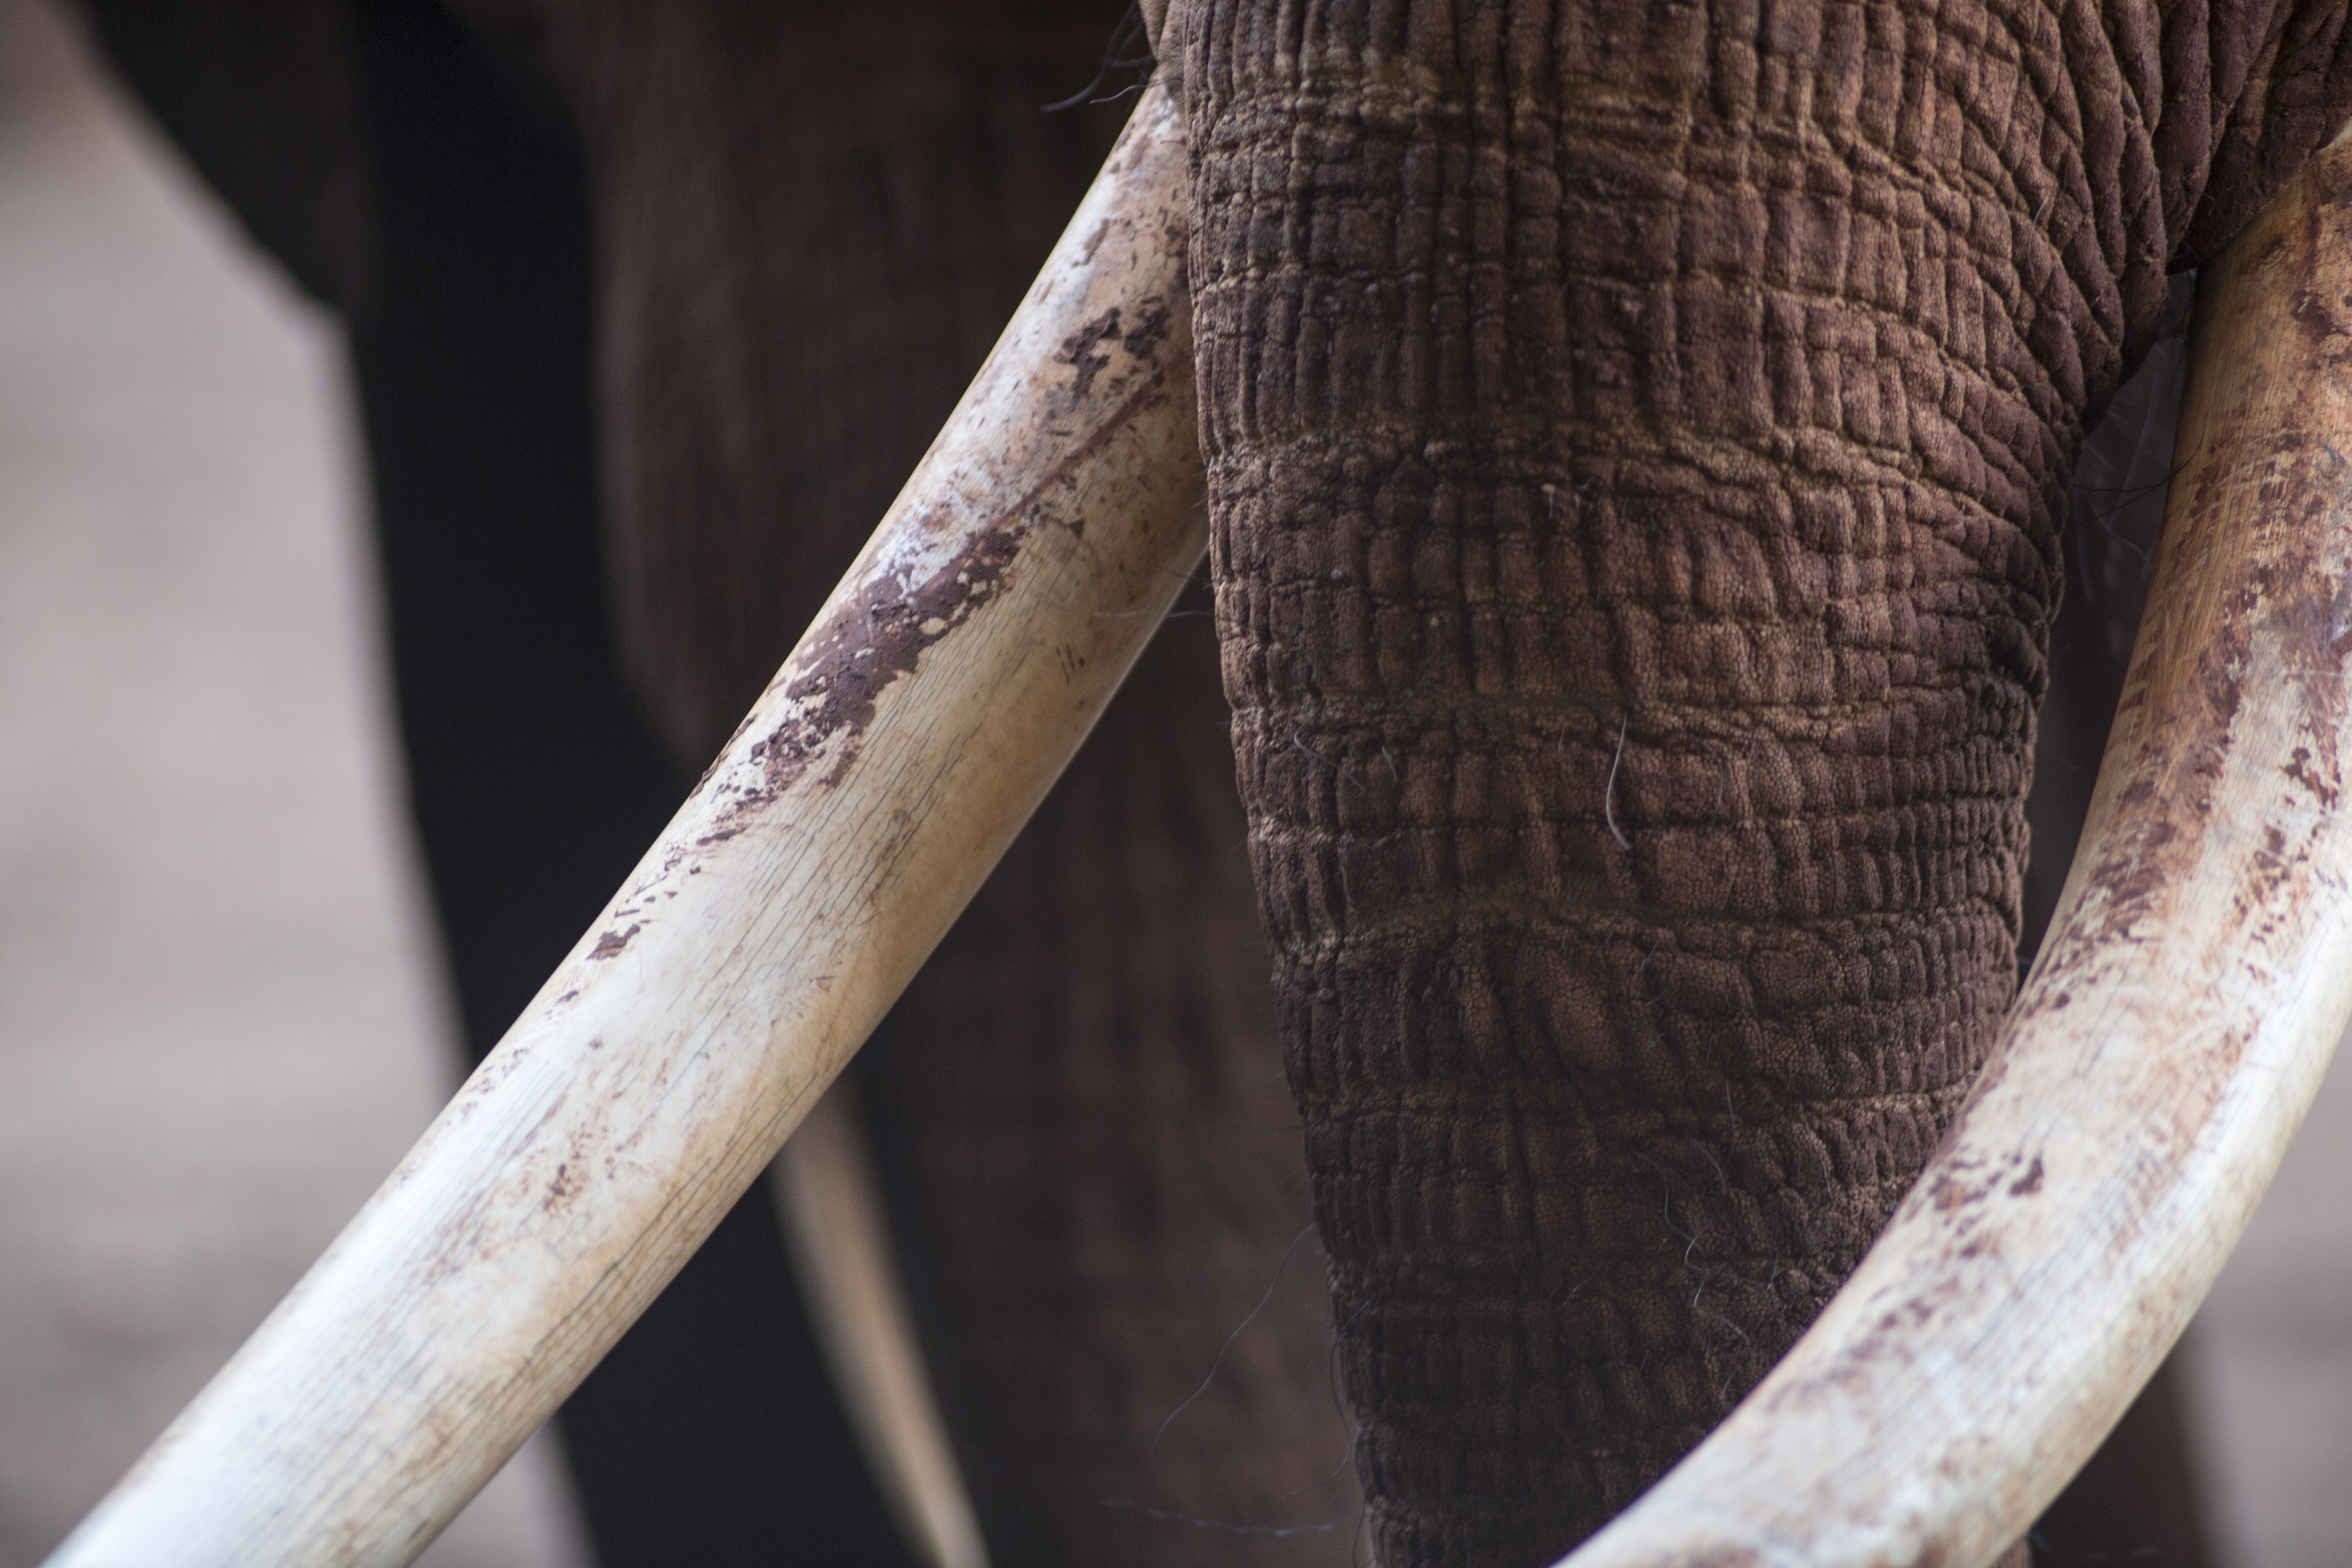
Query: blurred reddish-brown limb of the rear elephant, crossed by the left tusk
x=813, y=227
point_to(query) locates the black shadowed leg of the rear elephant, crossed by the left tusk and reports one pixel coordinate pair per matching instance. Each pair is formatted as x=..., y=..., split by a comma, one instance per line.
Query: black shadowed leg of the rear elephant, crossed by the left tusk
x=711, y=1433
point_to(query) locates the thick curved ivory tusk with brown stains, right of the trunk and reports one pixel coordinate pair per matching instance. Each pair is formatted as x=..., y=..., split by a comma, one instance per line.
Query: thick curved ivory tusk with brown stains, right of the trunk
x=2170, y=1038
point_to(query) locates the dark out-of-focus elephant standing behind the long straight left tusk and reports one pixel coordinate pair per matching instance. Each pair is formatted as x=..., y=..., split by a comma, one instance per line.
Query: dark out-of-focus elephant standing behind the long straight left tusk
x=1109, y=991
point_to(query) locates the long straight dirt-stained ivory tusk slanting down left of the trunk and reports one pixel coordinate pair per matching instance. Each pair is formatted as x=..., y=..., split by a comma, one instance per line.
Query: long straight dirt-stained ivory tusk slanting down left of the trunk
x=822, y=859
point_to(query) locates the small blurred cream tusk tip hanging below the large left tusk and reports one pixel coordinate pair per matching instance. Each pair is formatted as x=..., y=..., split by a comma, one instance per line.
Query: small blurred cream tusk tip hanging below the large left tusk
x=838, y=1238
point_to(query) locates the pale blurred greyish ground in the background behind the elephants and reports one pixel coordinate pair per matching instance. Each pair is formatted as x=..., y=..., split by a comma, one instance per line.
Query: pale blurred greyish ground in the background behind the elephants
x=218, y=1000
